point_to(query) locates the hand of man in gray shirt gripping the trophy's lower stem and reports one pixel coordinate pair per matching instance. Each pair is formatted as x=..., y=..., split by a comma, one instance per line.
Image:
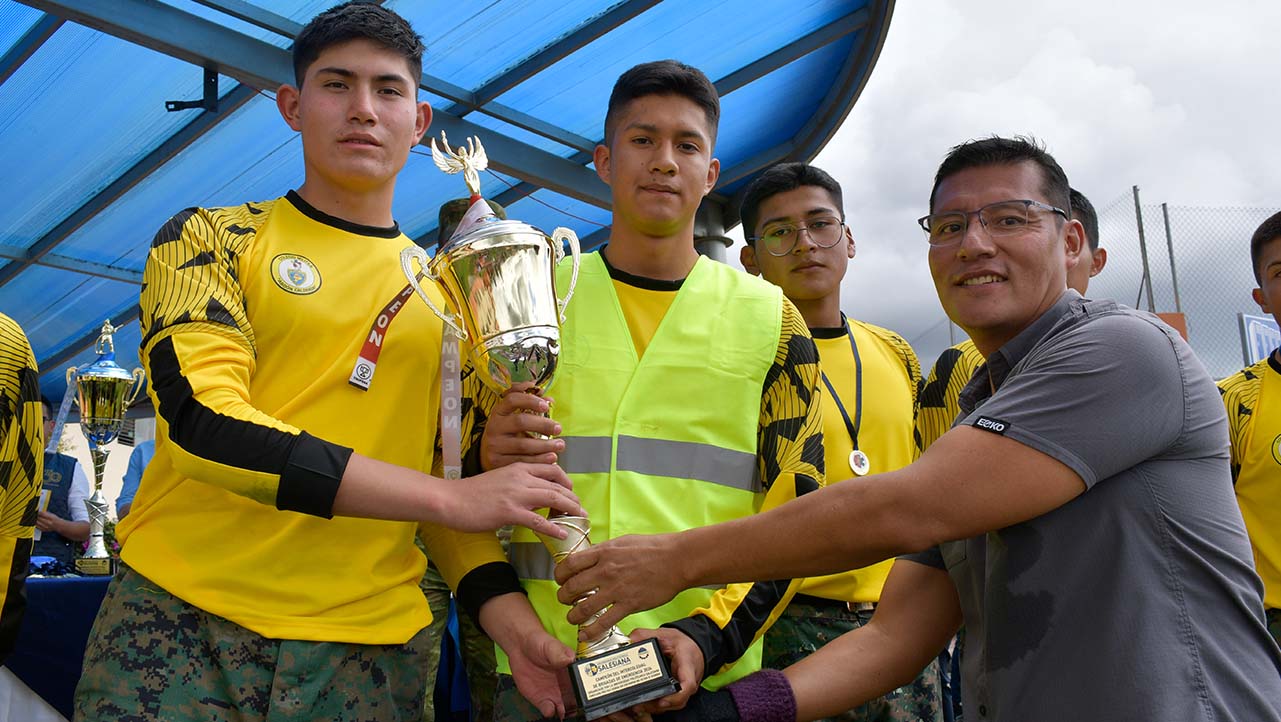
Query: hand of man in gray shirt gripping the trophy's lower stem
x=626, y=575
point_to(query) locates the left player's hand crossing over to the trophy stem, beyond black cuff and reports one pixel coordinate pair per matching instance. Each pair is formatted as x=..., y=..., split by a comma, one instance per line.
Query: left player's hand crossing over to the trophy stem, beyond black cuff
x=510, y=496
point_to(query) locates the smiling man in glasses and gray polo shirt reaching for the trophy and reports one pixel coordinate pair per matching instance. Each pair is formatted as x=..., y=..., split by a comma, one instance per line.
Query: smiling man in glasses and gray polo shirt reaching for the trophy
x=1101, y=565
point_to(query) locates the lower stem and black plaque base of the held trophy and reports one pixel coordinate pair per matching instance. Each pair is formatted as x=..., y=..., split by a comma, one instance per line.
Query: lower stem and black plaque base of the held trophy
x=612, y=671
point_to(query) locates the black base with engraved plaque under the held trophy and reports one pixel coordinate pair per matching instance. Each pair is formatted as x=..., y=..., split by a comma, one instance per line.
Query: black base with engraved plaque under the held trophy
x=621, y=679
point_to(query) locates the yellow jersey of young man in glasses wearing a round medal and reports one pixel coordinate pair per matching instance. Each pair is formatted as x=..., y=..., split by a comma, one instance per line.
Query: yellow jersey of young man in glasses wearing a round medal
x=891, y=385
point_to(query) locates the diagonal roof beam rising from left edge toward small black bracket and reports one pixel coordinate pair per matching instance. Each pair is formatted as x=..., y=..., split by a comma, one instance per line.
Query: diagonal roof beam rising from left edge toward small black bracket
x=129, y=180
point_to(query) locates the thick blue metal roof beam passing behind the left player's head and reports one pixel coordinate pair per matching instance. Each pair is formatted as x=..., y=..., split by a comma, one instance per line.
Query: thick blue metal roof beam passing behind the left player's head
x=261, y=65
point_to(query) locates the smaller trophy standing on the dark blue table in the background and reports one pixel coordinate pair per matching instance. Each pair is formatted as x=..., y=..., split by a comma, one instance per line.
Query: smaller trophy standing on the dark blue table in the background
x=103, y=394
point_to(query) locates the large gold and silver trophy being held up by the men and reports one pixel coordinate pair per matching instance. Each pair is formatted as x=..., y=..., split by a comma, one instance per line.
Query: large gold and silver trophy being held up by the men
x=500, y=281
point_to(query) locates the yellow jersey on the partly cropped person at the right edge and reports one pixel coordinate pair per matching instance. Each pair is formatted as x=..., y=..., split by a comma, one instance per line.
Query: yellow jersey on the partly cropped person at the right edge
x=1253, y=401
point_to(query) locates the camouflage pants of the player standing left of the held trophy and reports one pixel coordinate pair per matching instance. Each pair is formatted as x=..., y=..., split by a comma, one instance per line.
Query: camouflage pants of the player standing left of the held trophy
x=152, y=656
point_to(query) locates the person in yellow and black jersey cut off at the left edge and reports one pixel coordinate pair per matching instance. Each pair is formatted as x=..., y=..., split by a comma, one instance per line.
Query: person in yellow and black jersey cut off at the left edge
x=22, y=444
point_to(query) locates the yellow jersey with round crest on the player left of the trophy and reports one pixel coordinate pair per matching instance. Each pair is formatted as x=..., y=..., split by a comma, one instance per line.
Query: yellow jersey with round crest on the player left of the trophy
x=253, y=319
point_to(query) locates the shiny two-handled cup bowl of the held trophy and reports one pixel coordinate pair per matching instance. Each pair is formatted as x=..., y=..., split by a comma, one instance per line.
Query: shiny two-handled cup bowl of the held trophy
x=500, y=284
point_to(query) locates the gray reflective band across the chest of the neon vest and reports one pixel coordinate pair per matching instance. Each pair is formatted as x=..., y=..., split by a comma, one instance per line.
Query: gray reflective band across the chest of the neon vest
x=660, y=458
